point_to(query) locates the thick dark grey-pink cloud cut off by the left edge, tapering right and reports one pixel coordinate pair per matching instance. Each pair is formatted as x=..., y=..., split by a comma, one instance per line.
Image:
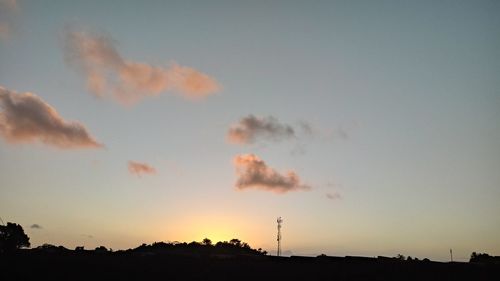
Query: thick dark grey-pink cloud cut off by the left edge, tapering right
x=24, y=117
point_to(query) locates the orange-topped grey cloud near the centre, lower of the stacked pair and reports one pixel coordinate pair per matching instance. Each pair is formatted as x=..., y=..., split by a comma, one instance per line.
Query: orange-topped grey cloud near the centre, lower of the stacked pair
x=252, y=172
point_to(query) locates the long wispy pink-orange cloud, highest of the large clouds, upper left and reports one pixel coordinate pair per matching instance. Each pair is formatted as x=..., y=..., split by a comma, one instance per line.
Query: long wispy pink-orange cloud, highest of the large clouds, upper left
x=108, y=74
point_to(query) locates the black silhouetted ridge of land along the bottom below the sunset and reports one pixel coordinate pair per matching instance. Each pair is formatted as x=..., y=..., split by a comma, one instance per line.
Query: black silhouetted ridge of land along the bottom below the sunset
x=225, y=261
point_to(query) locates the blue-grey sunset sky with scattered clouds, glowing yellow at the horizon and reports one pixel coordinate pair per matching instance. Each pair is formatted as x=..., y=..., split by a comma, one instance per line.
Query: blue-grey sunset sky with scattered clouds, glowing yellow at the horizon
x=371, y=127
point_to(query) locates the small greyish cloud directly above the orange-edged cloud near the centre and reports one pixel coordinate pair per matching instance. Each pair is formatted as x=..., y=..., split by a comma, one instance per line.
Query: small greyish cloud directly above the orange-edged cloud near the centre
x=249, y=128
